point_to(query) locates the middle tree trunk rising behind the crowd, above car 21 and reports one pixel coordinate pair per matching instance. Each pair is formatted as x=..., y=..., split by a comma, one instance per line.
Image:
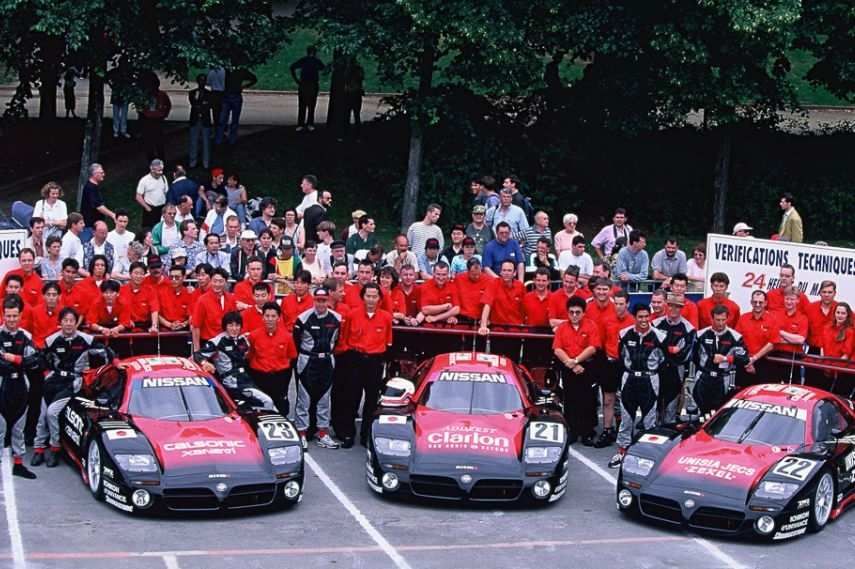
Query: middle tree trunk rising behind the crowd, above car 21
x=417, y=131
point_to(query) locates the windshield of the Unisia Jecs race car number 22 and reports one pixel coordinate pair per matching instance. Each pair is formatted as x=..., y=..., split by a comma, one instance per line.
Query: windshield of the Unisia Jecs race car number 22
x=752, y=426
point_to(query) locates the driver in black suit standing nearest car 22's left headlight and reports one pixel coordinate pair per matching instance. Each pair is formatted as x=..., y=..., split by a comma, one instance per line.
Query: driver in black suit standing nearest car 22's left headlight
x=642, y=352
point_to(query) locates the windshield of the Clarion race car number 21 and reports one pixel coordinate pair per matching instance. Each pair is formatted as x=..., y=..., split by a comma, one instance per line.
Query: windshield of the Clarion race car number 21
x=472, y=397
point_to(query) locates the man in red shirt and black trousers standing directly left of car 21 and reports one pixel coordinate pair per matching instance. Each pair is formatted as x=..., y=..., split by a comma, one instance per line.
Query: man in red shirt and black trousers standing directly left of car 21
x=369, y=336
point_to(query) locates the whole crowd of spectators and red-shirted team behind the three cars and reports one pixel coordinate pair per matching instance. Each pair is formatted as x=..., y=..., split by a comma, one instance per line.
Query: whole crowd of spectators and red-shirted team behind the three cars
x=267, y=292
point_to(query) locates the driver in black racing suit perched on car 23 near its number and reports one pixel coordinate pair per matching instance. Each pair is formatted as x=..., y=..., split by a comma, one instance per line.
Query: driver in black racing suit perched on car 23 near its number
x=226, y=355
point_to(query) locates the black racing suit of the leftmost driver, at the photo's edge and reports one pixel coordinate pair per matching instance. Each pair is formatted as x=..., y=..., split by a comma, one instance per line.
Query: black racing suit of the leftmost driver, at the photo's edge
x=14, y=387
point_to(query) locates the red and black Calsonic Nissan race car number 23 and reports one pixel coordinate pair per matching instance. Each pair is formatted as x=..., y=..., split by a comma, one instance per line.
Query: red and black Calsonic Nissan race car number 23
x=160, y=433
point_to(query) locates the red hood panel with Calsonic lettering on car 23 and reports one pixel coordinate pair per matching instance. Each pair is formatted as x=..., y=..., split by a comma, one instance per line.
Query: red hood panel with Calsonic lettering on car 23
x=224, y=442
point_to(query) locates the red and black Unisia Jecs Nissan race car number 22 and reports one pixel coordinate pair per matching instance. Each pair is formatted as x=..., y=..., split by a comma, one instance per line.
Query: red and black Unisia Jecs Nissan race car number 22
x=775, y=461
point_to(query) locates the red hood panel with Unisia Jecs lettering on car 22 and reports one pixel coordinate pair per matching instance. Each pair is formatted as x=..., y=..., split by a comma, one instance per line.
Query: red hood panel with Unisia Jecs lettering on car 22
x=709, y=465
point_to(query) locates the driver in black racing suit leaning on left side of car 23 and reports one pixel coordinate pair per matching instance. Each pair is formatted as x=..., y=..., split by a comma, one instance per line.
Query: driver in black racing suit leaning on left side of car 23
x=67, y=354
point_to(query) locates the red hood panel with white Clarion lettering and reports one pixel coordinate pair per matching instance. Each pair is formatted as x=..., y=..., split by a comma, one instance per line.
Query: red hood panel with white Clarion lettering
x=482, y=438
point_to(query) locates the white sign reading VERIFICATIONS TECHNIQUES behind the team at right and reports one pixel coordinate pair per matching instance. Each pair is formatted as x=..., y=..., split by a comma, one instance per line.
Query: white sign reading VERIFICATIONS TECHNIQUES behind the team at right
x=755, y=264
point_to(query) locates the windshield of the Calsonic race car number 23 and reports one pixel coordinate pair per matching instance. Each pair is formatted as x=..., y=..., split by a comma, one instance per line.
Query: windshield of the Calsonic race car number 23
x=176, y=399
